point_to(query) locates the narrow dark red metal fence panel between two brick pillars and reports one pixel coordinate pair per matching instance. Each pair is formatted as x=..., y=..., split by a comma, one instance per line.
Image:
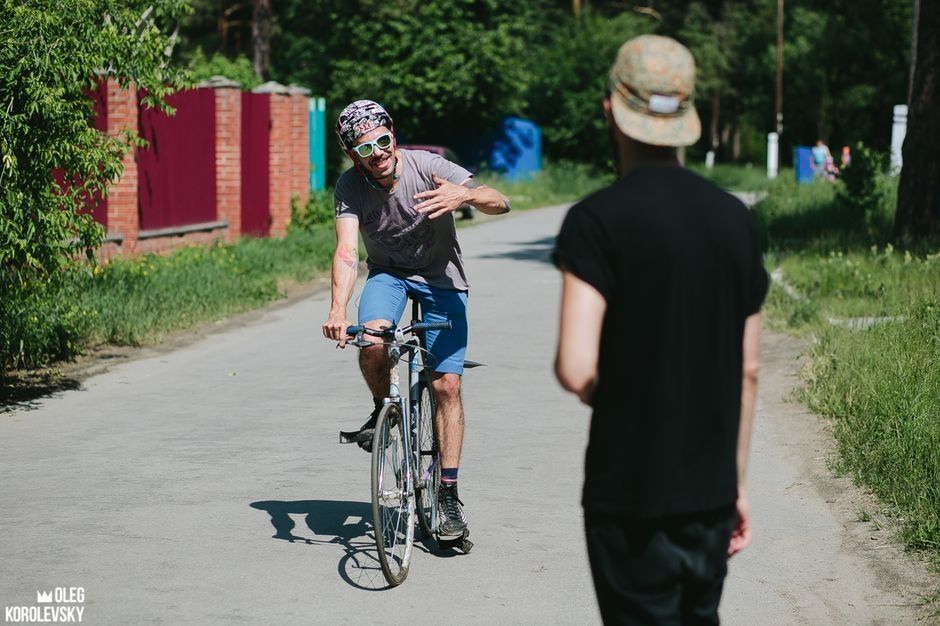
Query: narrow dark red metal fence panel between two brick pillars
x=255, y=195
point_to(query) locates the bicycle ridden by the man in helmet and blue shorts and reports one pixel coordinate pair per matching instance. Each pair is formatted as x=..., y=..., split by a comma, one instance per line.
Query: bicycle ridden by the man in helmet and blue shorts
x=406, y=463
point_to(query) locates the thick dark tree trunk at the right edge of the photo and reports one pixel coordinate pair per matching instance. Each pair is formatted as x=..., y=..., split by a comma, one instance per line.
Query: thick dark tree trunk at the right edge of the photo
x=918, y=209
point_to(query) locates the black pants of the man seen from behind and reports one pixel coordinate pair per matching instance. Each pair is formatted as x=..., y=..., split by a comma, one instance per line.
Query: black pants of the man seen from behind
x=667, y=570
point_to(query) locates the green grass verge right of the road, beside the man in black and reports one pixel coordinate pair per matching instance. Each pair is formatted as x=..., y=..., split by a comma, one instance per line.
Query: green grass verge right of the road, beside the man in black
x=879, y=380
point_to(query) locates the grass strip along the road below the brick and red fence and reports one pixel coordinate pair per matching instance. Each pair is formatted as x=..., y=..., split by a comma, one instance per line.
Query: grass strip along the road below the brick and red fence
x=136, y=301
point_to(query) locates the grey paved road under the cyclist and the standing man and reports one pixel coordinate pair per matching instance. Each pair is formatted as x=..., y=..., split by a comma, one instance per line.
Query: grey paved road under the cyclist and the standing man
x=205, y=485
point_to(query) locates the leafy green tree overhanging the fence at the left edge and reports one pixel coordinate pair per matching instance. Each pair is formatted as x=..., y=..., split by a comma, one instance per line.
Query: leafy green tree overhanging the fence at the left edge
x=53, y=55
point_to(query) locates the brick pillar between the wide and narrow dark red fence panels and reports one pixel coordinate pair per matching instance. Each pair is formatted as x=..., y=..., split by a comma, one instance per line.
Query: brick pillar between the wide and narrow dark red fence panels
x=228, y=164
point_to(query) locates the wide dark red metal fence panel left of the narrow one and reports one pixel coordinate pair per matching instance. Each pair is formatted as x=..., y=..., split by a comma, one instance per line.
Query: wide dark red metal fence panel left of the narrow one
x=176, y=172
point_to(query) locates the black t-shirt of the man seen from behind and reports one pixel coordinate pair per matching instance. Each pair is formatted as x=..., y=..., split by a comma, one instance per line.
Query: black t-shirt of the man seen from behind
x=678, y=261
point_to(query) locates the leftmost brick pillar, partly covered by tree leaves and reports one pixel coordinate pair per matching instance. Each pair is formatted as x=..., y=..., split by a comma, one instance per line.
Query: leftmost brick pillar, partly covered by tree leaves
x=123, y=217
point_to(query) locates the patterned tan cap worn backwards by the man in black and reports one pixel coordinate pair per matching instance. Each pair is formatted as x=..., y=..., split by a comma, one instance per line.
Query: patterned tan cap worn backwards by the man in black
x=651, y=86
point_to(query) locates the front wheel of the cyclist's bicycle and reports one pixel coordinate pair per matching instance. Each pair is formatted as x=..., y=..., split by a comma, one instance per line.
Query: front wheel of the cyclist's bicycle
x=393, y=507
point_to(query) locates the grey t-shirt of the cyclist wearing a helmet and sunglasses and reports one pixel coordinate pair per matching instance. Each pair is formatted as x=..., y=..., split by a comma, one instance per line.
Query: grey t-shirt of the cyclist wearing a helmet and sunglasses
x=398, y=239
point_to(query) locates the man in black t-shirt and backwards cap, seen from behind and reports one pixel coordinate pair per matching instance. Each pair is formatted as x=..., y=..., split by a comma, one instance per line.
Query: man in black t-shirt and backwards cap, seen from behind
x=660, y=325
